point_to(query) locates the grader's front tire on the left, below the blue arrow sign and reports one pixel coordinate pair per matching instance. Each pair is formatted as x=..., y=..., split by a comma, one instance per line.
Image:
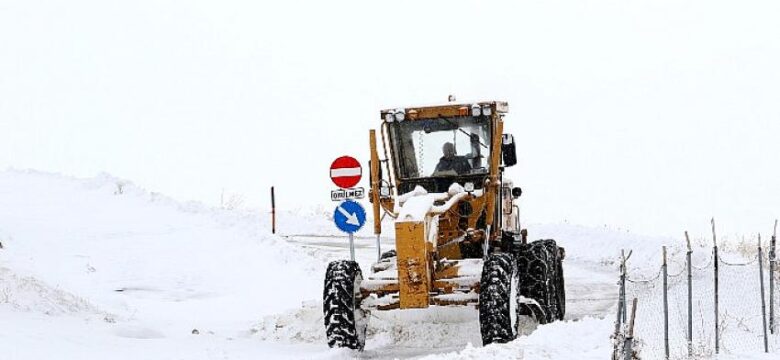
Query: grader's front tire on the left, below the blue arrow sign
x=345, y=321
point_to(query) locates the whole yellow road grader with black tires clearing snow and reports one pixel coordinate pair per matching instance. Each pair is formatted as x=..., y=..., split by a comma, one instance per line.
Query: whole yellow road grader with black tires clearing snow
x=458, y=240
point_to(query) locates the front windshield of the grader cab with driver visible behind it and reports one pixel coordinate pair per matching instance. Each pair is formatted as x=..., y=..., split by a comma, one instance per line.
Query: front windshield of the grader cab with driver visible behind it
x=441, y=147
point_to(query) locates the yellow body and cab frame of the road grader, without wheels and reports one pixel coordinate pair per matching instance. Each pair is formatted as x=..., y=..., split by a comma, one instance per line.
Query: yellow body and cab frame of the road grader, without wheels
x=438, y=256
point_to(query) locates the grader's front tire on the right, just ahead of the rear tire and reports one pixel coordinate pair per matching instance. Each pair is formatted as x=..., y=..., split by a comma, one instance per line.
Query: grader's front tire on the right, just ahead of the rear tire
x=498, y=299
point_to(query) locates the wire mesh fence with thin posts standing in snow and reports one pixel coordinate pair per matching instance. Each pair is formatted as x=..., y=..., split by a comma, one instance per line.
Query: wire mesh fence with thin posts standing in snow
x=697, y=305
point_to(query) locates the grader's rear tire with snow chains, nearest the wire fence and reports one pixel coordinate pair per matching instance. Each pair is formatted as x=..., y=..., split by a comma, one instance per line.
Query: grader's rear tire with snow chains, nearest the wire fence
x=541, y=277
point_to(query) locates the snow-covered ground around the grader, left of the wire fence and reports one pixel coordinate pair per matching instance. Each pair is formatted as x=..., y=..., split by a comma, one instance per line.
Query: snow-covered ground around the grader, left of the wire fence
x=87, y=272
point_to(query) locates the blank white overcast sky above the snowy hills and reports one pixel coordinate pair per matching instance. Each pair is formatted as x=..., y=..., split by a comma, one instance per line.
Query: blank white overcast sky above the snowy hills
x=646, y=115
